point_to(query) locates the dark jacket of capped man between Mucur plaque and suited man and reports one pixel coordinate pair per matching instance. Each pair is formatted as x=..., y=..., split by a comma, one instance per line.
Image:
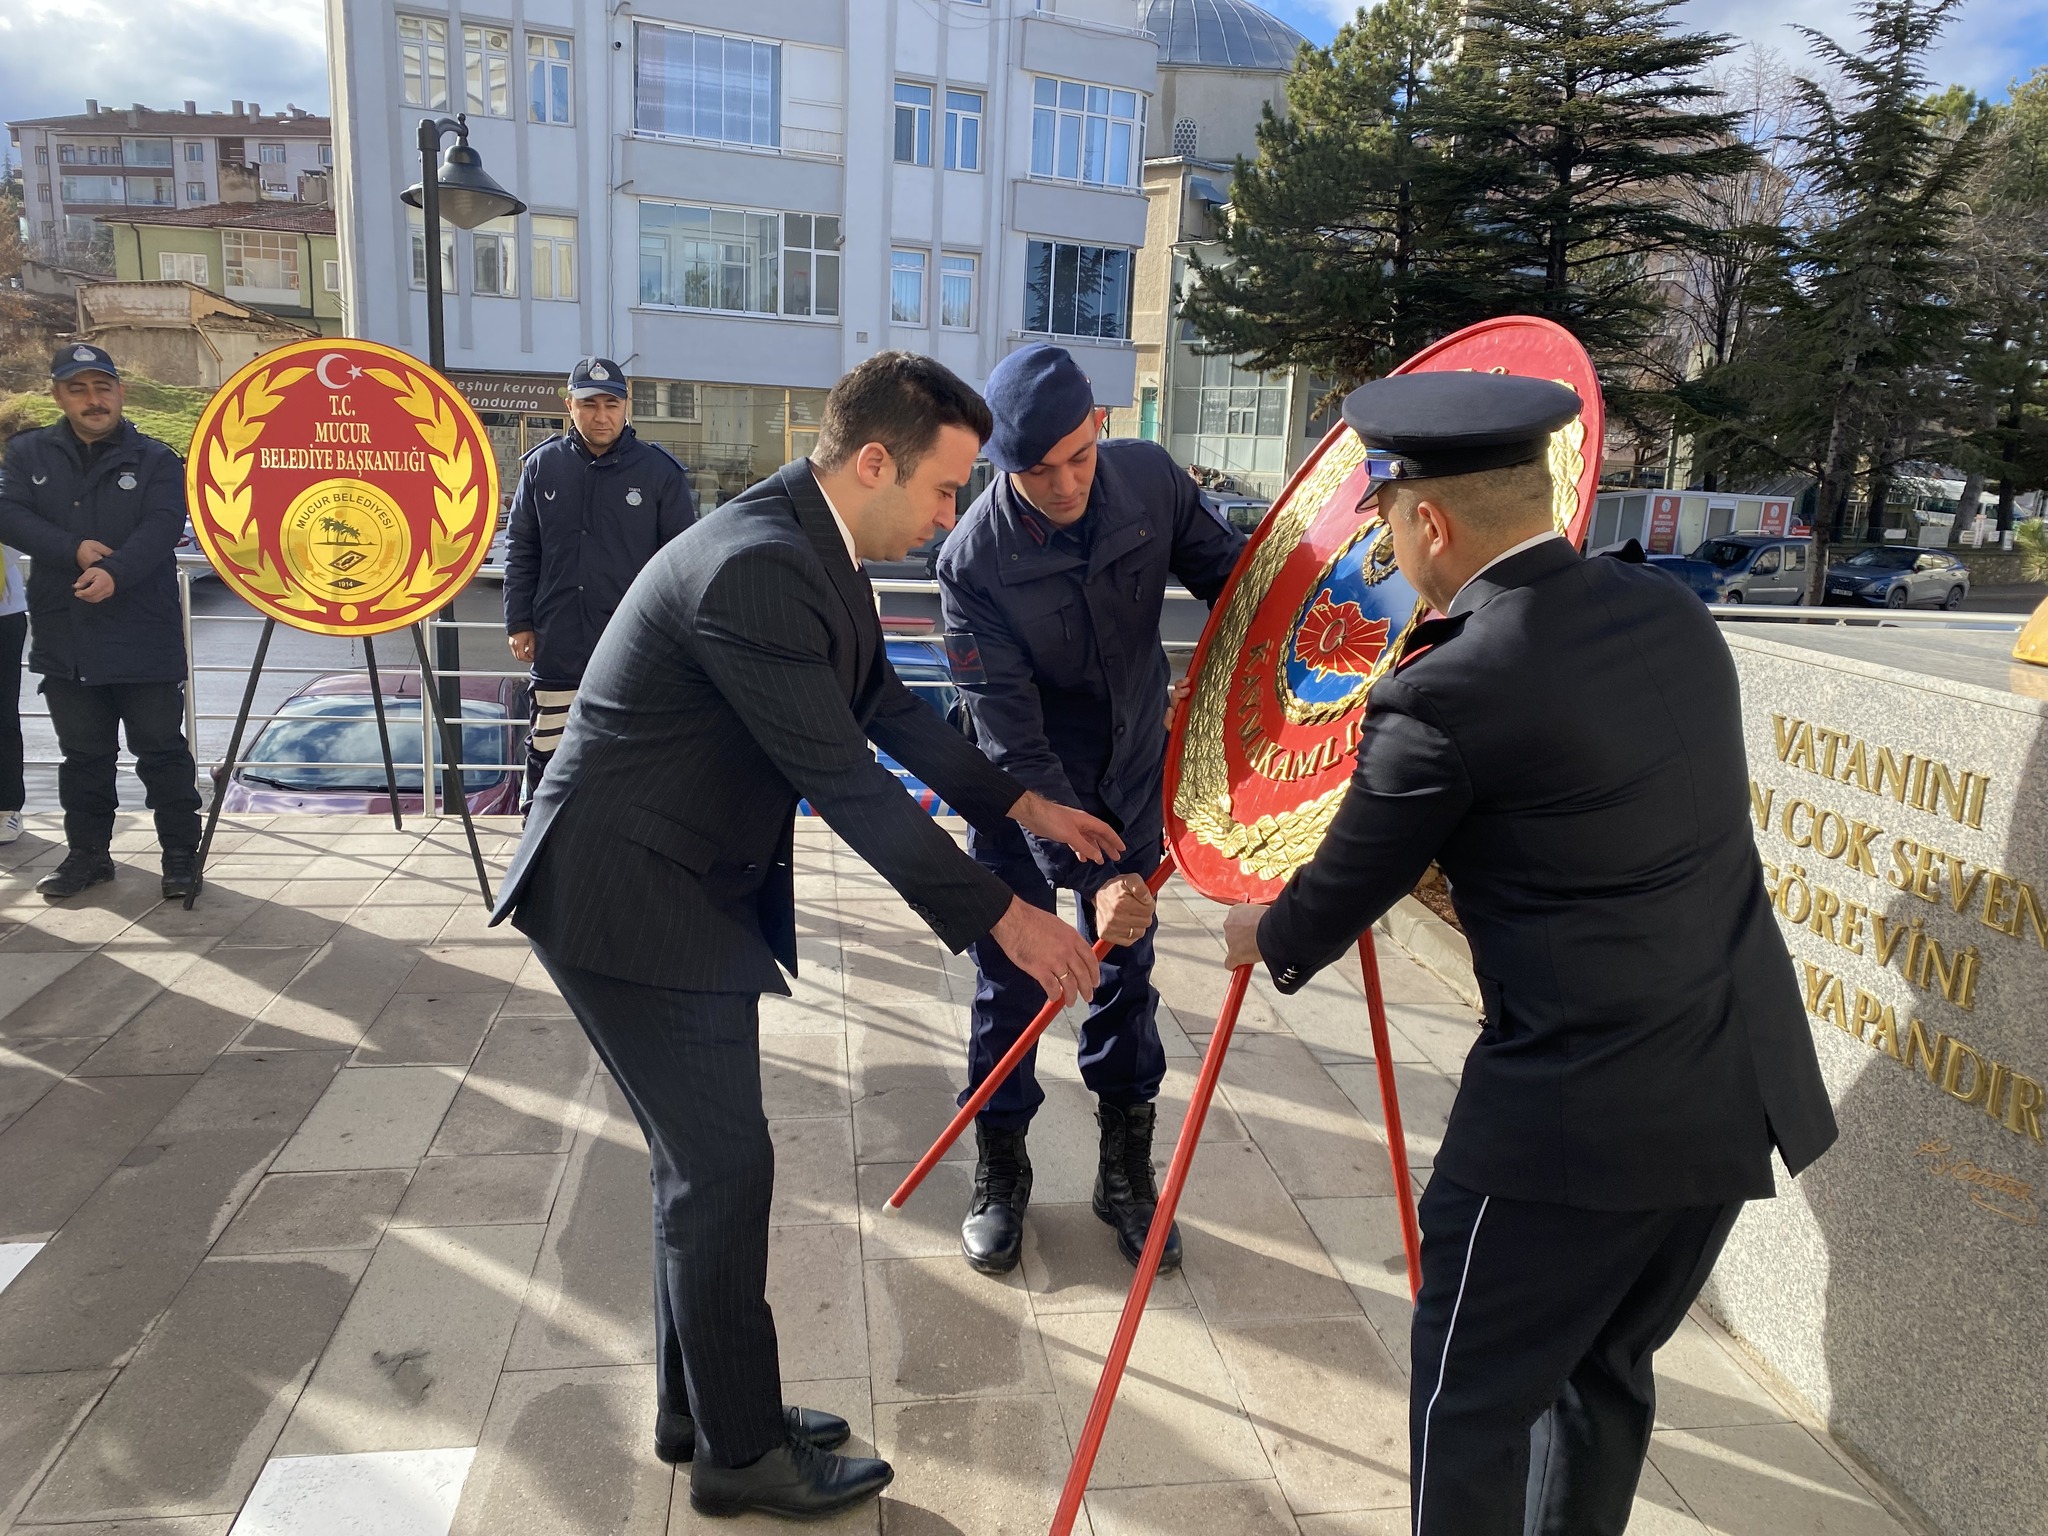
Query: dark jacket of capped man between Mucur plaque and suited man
x=583, y=529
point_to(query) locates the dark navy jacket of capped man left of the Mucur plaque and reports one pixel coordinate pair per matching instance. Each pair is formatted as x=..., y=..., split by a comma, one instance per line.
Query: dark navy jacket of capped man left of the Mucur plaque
x=132, y=499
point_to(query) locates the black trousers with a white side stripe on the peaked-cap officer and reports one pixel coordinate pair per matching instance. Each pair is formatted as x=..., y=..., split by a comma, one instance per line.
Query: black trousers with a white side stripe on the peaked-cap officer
x=1533, y=1396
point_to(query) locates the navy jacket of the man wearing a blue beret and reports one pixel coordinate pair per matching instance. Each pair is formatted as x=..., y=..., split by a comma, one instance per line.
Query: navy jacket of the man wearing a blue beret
x=1060, y=656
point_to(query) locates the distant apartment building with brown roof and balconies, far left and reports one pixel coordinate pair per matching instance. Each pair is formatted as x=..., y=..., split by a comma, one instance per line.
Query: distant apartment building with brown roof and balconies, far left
x=79, y=173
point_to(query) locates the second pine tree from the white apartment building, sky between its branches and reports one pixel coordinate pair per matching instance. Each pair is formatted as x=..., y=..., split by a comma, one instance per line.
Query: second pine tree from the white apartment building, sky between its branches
x=1582, y=134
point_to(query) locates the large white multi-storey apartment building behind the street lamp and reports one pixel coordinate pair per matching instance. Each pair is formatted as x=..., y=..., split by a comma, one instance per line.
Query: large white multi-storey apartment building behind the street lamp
x=740, y=202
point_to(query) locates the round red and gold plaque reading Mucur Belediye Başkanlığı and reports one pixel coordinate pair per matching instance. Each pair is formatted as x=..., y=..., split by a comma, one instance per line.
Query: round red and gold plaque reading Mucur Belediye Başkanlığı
x=343, y=488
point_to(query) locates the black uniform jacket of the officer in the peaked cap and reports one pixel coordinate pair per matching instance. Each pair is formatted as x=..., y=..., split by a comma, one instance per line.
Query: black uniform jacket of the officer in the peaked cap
x=1570, y=753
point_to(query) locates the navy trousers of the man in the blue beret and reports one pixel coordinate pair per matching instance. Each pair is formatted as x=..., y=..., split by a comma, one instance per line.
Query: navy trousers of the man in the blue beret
x=1121, y=1054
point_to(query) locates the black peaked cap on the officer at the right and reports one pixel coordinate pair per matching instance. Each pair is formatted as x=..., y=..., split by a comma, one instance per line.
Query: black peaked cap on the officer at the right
x=1433, y=425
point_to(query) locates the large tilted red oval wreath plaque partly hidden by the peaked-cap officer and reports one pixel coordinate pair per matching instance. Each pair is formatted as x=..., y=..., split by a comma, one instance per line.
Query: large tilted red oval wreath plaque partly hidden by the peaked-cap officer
x=1314, y=615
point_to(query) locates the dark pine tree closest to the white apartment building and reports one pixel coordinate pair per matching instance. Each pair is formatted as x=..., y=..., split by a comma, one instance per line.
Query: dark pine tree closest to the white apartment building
x=1347, y=247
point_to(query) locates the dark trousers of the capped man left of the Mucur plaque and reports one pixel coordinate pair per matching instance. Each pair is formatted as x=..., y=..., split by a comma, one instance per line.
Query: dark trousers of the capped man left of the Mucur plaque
x=89, y=720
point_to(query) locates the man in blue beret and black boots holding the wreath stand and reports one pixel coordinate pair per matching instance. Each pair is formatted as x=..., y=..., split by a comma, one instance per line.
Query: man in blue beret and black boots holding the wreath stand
x=1052, y=593
